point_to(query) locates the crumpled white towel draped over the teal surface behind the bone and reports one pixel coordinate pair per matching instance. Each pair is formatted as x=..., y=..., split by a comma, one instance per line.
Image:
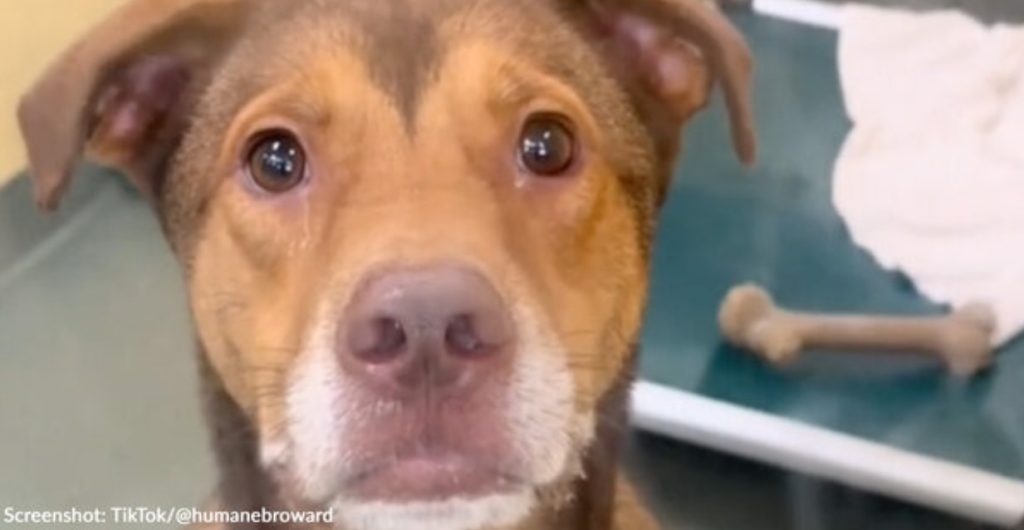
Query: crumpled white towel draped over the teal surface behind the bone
x=931, y=180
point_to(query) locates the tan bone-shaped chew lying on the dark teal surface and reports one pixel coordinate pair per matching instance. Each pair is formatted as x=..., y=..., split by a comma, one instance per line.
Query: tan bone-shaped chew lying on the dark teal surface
x=750, y=320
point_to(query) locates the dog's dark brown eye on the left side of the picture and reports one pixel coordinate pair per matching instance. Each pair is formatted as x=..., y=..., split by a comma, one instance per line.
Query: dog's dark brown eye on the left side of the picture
x=277, y=162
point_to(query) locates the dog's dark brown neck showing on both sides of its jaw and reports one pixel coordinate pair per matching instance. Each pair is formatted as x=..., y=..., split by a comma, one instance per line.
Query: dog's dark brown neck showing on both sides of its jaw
x=244, y=484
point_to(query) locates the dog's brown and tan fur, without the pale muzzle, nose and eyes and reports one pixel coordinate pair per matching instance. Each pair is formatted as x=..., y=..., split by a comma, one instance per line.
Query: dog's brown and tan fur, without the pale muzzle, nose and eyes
x=409, y=112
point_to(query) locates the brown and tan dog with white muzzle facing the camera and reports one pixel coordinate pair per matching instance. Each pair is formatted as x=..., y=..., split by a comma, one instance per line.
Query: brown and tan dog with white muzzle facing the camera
x=416, y=233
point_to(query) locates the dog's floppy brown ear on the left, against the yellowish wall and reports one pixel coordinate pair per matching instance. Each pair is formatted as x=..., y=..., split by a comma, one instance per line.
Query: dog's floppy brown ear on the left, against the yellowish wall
x=122, y=92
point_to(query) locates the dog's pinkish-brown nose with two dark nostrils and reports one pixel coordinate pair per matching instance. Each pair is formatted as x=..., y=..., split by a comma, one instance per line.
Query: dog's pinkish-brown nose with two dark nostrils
x=442, y=327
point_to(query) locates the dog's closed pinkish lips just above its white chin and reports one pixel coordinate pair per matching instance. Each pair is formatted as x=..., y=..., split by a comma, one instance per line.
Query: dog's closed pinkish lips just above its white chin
x=431, y=477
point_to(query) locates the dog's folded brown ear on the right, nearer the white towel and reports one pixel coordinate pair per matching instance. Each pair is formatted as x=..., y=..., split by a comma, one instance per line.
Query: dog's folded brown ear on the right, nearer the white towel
x=674, y=51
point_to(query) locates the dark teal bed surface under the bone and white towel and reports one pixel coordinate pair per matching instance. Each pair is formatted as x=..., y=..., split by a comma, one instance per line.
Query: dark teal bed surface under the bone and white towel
x=776, y=226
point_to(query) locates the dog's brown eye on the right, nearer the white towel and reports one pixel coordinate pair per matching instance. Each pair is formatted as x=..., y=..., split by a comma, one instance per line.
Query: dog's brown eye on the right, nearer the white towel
x=547, y=148
